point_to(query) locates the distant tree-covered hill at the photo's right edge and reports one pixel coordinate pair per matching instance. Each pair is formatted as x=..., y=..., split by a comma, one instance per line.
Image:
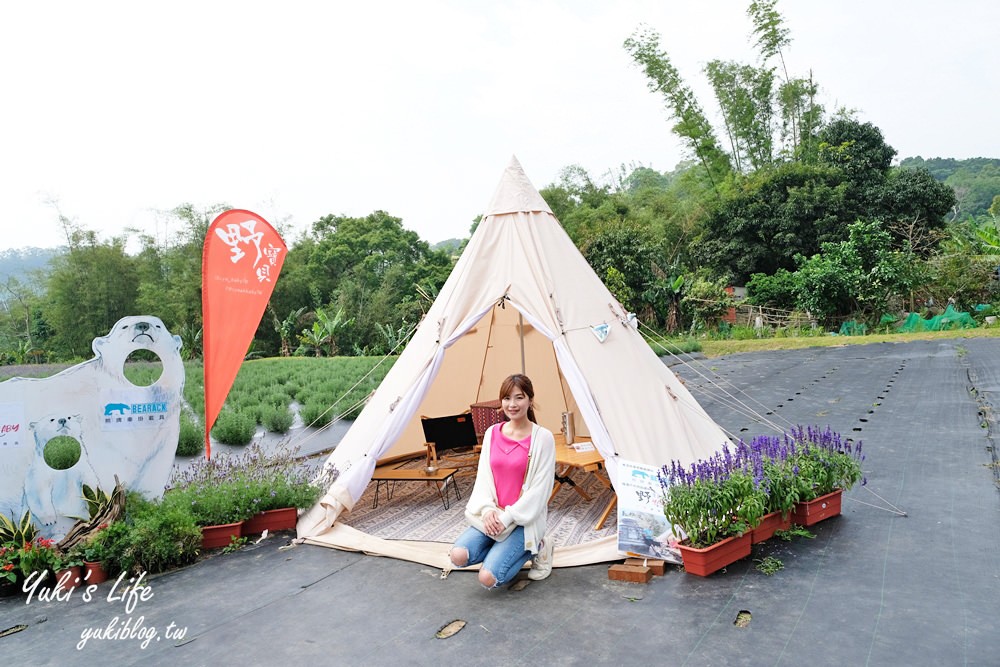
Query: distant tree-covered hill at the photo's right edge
x=976, y=181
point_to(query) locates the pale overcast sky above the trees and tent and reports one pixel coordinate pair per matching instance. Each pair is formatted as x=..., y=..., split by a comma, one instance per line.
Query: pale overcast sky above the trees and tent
x=113, y=112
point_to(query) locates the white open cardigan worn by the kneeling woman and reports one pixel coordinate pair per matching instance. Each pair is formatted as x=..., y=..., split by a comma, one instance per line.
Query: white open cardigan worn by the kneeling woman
x=531, y=508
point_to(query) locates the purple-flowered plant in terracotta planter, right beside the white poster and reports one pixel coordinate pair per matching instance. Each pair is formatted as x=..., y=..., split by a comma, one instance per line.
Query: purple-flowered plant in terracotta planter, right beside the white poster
x=716, y=503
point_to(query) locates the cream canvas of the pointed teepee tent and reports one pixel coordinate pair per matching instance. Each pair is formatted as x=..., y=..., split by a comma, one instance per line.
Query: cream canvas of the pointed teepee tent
x=520, y=298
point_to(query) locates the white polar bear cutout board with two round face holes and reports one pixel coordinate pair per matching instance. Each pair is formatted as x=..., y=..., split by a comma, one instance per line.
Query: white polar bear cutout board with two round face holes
x=123, y=430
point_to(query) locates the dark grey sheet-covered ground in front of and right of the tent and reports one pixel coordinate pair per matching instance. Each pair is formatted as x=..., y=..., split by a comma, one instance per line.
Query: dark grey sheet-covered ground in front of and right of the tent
x=873, y=588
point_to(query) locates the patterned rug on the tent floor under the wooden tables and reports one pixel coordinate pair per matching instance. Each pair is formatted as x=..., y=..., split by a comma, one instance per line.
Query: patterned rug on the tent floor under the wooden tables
x=416, y=511
